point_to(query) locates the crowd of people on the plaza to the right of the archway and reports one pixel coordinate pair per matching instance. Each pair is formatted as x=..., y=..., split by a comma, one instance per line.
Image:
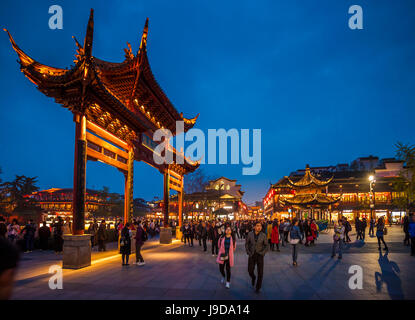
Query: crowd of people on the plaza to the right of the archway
x=263, y=236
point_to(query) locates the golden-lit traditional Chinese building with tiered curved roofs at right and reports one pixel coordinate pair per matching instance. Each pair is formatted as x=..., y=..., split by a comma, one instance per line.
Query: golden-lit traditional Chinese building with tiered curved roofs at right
x=349, y=185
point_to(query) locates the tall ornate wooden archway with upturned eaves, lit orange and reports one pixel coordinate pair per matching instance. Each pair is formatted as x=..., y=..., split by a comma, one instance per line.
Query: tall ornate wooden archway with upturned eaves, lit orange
x=117, y=107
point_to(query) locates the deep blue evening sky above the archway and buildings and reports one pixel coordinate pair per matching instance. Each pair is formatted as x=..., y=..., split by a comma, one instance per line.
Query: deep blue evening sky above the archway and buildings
x=321, y=93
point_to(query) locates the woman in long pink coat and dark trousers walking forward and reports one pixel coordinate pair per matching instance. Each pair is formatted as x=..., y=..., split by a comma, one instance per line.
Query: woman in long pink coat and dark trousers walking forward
x=227, y=247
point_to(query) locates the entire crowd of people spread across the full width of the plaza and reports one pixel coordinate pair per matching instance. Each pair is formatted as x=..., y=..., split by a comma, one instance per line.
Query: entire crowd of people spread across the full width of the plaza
x=259, y=236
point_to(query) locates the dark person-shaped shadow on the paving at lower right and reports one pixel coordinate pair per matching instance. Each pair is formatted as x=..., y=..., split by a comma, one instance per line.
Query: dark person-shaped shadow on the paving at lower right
x=389, y=276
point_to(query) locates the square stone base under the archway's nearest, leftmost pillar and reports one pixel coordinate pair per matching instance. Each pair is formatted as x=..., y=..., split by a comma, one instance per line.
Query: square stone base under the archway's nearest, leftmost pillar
x=76, y=251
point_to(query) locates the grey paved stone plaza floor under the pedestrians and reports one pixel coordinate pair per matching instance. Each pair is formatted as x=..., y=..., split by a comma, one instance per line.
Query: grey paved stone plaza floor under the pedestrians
x=179, y=272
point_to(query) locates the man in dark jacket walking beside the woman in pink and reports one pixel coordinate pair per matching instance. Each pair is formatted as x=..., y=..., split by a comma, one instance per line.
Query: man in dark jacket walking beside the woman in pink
x=256, y=246
